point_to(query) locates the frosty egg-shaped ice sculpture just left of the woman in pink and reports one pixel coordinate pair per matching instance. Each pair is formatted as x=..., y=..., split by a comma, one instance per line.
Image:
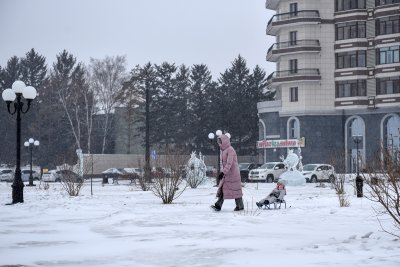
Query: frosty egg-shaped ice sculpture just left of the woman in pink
x=195, y=170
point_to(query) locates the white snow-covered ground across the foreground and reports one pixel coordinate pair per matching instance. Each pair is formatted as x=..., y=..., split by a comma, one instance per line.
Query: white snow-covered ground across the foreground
x=121, y=225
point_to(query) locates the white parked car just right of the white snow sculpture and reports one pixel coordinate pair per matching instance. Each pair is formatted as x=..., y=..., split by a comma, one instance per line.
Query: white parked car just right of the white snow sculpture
x=314, y=173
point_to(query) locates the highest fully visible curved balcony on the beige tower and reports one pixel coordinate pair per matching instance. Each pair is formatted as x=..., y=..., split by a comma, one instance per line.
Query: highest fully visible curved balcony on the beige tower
x=284, y=19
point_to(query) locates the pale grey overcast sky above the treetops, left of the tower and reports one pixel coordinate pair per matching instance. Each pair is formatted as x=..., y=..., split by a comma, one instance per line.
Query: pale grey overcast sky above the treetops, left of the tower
x=212, y=32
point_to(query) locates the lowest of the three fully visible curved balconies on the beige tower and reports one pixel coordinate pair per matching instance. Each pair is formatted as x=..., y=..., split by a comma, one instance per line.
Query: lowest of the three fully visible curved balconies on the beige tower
x=286, y=76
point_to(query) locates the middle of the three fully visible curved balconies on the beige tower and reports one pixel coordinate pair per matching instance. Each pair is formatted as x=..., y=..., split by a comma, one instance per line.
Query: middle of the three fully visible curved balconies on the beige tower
x=292, y=47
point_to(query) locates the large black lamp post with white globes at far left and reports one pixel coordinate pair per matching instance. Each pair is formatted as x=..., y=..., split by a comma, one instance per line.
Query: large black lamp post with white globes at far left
x=15, y=95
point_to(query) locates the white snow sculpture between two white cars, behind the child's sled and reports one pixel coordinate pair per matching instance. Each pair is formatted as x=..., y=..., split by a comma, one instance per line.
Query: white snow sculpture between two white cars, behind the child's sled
x=292, y=176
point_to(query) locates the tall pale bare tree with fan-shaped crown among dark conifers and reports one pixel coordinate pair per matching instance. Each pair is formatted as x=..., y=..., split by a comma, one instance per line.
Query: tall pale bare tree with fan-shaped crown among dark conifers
x=107, y=77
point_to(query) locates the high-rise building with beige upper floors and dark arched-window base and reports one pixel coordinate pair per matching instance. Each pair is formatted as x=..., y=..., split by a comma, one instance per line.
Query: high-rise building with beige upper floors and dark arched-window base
x=337, y=79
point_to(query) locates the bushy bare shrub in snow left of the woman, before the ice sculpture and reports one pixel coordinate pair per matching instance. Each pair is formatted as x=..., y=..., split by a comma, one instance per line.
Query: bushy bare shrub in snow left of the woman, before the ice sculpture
x=167, y=181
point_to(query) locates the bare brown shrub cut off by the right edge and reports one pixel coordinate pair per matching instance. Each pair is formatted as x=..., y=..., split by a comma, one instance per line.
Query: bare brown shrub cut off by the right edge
x=382, y=176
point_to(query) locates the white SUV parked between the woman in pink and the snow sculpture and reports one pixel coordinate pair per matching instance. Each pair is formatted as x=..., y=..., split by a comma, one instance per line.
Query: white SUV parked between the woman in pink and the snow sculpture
x=268, y=172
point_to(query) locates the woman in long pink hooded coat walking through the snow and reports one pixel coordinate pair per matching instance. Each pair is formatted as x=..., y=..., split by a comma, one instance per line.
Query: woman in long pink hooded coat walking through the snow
x=230, y=186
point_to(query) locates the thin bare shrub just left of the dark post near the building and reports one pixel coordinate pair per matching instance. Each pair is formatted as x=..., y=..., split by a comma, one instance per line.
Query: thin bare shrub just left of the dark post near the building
x=337, y=160
